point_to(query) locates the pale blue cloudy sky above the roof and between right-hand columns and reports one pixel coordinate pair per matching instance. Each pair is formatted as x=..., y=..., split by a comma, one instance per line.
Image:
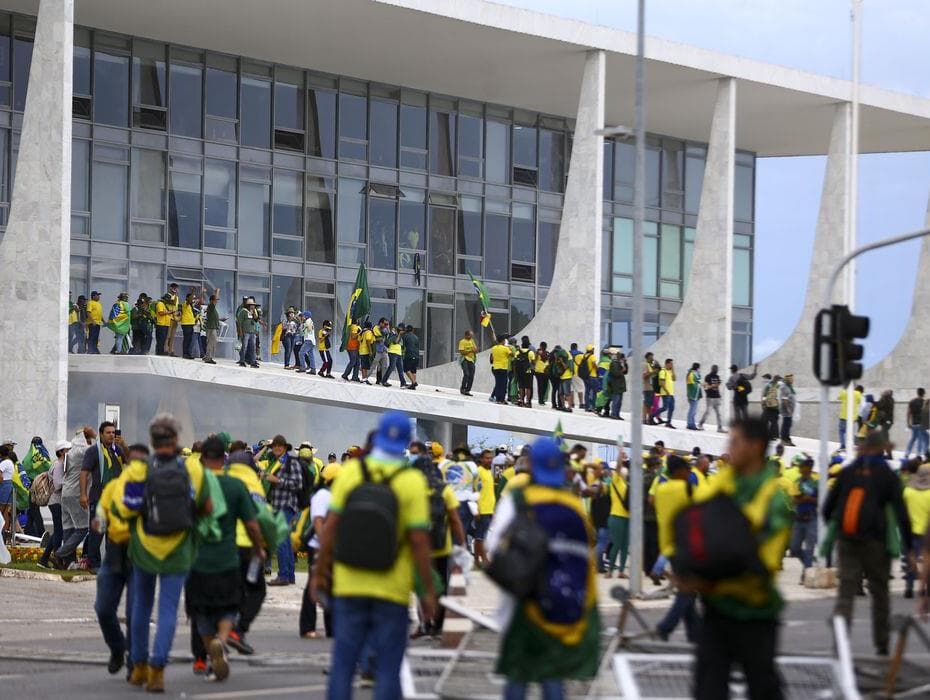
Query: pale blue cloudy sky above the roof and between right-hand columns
x=812, y=35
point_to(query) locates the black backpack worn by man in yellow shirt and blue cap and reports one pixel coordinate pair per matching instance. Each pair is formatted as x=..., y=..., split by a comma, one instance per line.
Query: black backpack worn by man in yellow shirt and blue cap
x=366, y=537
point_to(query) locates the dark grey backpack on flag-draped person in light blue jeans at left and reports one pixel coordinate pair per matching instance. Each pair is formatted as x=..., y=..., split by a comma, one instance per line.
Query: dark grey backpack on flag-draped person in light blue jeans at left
x=168, y=503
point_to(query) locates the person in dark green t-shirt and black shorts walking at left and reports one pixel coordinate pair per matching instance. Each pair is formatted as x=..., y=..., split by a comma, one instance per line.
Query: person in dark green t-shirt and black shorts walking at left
x=213, y=590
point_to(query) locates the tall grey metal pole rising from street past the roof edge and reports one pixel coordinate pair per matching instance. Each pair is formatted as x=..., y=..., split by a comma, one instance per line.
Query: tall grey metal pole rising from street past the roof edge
x=636, y=327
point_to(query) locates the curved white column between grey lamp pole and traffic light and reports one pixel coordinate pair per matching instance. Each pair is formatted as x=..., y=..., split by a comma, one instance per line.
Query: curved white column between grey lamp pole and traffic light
x=701, y=332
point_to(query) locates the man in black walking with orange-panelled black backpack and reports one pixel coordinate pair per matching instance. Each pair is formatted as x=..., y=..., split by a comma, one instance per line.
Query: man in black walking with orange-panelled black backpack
x=859, y=501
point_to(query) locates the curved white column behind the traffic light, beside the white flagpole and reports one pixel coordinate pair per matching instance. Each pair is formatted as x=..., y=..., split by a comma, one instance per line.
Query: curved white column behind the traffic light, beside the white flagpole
x=795, y=354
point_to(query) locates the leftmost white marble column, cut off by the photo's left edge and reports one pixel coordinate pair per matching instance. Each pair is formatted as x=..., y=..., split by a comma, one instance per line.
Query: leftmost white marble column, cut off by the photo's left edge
x=35, y=251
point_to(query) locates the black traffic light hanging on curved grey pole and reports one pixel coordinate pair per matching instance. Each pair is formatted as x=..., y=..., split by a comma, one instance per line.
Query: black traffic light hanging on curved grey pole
x=837, y=355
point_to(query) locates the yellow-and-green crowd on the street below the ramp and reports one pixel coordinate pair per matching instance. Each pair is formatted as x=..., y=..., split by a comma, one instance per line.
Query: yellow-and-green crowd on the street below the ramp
x=393, y=517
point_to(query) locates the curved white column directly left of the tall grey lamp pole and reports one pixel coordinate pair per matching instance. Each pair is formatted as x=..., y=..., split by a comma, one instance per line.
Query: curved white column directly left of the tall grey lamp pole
x=571, y=311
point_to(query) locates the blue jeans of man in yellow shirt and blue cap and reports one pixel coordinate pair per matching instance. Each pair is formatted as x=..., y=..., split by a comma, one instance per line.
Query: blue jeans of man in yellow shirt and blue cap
x=378, y=625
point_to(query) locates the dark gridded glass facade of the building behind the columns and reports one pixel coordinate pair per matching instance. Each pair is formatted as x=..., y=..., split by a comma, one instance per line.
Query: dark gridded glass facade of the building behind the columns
x=276, y=182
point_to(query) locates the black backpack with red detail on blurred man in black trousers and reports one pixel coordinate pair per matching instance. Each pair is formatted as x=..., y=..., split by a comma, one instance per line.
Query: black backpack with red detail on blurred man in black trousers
x=715, y=541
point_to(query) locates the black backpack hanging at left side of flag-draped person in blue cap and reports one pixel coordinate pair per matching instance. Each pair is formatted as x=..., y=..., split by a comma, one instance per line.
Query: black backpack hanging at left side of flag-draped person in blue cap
x=519, y=561
